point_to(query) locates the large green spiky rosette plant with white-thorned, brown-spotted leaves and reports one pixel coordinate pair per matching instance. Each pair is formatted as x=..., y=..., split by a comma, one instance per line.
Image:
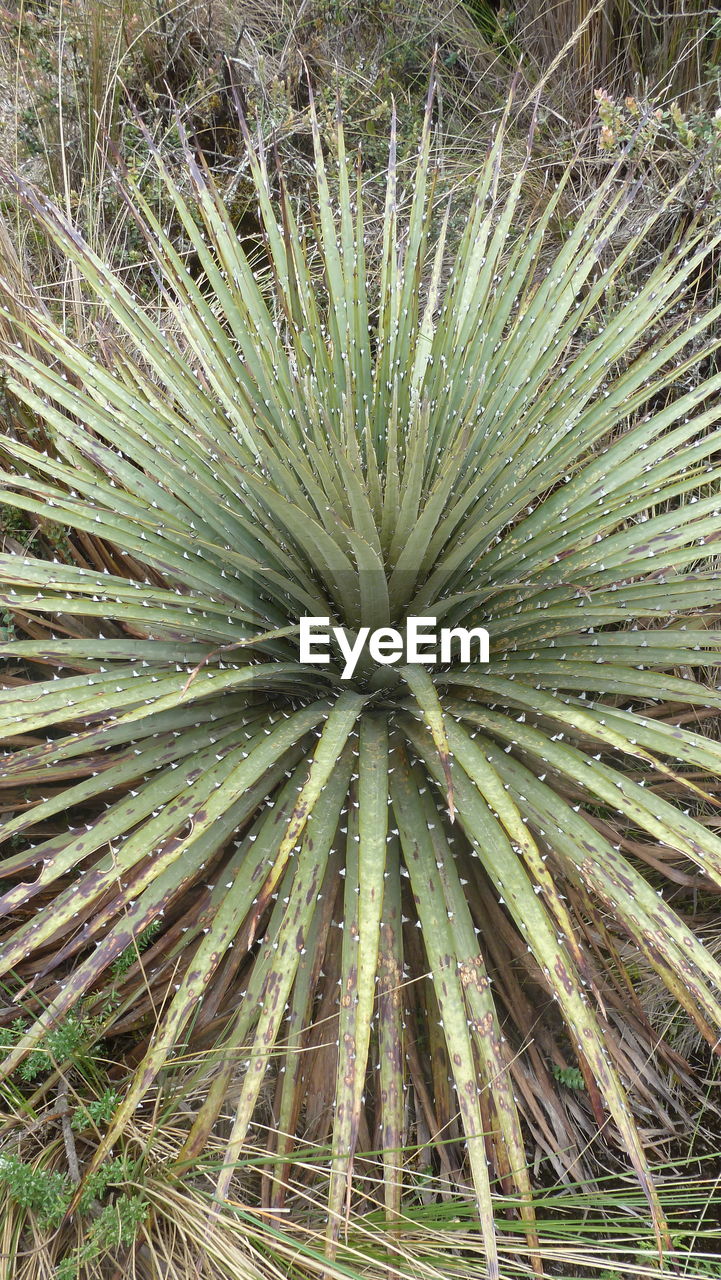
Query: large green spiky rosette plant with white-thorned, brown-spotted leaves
x=472, y=450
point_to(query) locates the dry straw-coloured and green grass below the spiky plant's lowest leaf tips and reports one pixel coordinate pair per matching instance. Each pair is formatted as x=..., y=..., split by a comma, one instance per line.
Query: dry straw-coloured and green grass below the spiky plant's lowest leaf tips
x=588, y=1235
